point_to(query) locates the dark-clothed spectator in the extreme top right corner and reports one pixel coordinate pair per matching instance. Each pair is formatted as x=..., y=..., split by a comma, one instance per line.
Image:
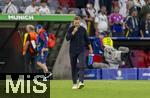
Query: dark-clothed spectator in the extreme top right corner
x=145, y=9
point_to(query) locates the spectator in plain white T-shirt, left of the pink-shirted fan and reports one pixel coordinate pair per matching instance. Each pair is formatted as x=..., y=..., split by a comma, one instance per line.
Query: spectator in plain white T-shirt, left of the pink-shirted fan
x=101, y=21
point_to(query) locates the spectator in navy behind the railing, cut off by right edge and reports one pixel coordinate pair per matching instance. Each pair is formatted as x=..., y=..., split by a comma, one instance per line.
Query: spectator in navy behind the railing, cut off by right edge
x=145, y=26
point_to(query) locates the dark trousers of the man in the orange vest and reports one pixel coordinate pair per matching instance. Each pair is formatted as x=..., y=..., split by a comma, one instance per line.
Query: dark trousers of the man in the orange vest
x=30, y=62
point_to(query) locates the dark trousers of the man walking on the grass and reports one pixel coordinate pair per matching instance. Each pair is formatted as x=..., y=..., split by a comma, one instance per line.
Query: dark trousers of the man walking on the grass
x=77, y=68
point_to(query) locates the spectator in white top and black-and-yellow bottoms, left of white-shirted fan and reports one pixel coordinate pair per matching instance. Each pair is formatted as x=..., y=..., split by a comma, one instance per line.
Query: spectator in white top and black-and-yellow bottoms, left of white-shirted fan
x=89, y=14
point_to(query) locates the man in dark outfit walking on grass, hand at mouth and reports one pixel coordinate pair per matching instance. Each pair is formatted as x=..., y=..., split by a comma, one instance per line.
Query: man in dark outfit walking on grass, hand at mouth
x=78, y=40
